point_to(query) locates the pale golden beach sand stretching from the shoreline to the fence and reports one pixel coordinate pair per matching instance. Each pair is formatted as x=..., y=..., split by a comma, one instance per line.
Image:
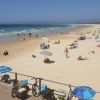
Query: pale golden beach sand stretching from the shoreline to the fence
x=64, y=70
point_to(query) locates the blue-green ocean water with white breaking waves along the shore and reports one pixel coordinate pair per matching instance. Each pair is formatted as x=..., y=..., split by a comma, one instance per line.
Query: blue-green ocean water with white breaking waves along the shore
x=9, y=32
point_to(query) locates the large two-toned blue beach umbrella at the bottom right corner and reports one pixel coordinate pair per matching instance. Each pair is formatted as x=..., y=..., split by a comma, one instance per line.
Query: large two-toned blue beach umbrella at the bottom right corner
x=83, y=92
